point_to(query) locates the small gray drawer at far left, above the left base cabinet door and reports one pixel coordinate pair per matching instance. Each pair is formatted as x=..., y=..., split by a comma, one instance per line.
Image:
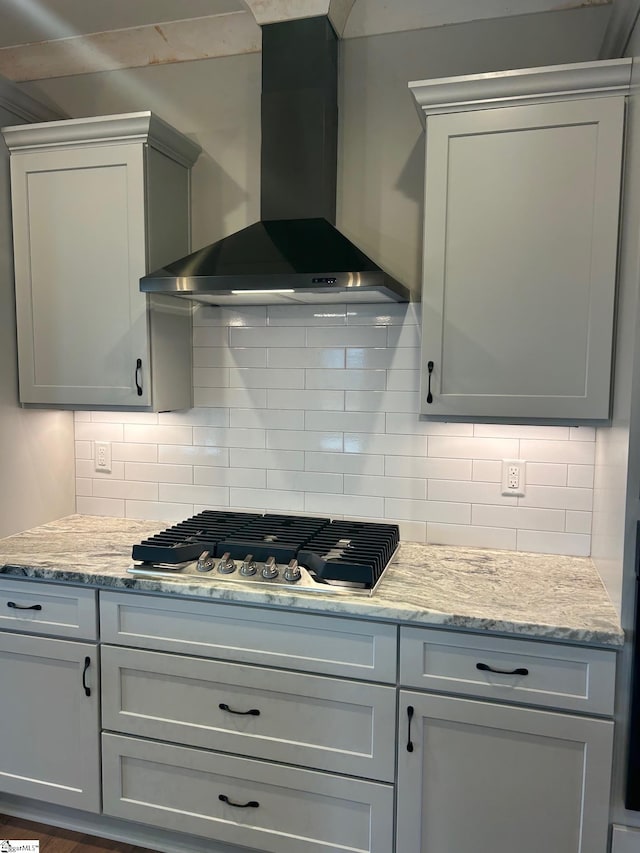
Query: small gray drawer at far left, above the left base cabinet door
x=46, y=608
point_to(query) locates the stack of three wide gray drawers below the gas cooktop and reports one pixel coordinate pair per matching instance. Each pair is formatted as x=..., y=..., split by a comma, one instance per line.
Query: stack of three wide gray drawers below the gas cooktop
x=265, y=757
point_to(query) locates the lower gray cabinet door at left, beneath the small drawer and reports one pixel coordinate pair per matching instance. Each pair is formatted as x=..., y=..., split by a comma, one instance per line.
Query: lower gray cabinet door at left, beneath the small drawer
x=49, y=746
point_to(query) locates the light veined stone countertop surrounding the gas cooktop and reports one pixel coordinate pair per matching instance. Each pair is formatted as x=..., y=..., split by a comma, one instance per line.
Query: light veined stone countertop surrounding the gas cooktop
x=530, y=595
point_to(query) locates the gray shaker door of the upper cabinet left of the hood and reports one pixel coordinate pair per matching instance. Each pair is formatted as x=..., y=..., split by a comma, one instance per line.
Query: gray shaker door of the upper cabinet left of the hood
x=79, y=243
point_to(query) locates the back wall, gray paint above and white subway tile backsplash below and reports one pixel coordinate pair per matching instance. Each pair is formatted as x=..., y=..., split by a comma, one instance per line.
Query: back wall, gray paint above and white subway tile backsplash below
x=304, y=411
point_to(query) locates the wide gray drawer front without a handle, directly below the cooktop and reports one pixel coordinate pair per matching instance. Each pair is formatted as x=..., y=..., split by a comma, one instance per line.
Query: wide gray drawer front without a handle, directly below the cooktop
x=300, y=641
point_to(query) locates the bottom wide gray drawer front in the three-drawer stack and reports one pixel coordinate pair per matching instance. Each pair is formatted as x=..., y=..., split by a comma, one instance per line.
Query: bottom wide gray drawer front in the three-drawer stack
x=267, y=807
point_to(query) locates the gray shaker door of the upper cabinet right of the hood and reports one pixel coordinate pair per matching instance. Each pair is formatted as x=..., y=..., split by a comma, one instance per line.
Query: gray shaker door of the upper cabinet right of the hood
x=520, y=249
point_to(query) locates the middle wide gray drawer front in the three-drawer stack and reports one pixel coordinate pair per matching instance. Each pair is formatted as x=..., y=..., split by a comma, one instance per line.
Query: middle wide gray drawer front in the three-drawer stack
x=324, y=723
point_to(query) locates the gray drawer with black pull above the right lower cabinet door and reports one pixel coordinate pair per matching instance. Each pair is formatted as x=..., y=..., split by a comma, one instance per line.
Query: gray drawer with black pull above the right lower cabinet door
x=533, y=673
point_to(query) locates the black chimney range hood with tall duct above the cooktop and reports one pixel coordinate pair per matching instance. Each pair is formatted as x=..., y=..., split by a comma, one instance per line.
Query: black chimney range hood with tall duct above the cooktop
x=294, y=254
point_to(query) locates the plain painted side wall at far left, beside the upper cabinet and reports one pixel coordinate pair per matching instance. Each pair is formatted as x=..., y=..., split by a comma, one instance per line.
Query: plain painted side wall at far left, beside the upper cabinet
x=36, y=448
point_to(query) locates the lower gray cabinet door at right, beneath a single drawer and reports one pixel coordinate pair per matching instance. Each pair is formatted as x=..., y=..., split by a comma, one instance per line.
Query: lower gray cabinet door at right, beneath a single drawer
x=486, y=777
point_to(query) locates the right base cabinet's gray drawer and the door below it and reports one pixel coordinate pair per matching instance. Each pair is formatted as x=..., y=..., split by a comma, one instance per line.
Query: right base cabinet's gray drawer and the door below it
x=487, y=773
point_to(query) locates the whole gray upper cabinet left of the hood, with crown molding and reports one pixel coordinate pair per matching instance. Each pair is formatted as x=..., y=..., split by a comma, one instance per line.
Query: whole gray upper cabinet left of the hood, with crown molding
x=97, y=203
